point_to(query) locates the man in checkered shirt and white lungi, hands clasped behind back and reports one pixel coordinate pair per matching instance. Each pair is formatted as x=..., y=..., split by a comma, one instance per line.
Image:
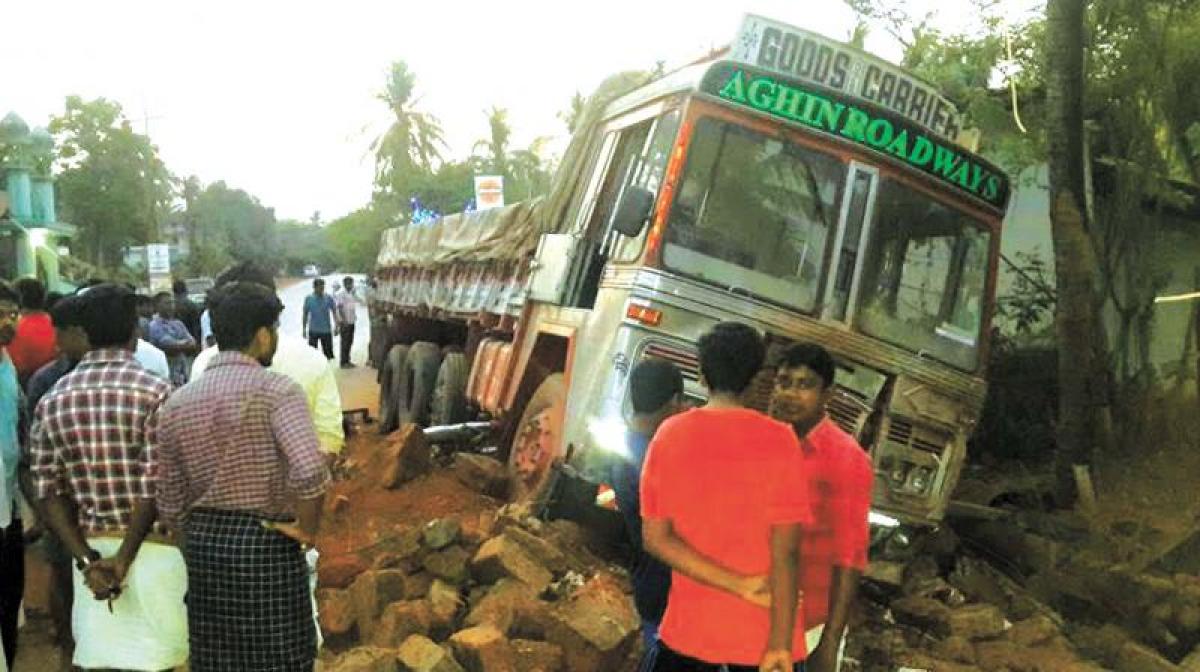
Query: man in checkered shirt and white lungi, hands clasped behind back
x=94, y=441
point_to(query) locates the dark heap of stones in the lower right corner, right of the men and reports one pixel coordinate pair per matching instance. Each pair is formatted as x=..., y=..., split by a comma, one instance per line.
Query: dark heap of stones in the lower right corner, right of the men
x=950, y=610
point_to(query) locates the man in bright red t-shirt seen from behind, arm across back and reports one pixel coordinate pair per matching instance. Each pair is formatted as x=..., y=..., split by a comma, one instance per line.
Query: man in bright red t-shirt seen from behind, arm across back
x=724, y=499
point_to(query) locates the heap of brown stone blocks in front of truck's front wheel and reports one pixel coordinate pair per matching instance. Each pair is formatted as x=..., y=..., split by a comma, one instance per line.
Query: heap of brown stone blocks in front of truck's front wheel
x=494, y=591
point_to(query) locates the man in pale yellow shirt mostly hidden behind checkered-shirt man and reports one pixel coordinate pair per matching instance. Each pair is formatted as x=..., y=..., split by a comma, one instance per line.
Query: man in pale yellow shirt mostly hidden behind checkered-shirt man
x=298, y=362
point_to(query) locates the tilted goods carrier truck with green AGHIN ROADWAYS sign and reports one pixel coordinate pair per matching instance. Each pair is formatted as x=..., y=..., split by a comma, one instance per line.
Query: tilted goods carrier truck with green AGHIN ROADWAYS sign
x=789, y=182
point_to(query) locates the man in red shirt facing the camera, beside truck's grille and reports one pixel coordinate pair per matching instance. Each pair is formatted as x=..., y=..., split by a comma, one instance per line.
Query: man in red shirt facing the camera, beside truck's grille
x=841, y=478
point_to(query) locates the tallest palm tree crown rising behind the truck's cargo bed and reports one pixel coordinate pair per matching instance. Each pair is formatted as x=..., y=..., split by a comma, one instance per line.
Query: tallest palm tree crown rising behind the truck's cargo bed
x=413, y=141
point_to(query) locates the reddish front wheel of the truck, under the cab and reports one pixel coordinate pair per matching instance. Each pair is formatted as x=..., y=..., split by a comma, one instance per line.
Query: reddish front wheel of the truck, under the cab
x=537, y=443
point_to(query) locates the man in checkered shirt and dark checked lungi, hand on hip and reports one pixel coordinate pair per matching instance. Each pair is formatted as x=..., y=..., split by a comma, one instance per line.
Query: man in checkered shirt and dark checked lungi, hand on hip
x=243, y=481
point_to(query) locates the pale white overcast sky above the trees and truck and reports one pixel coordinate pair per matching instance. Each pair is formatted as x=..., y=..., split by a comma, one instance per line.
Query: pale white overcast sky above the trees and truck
x=279, y=99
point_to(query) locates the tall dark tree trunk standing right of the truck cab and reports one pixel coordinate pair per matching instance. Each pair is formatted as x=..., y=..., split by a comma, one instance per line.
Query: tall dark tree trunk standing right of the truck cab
x=1082, y=380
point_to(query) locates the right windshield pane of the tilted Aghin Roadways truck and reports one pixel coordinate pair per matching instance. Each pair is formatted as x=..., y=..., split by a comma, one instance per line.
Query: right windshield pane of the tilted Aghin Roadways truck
x=925, y=277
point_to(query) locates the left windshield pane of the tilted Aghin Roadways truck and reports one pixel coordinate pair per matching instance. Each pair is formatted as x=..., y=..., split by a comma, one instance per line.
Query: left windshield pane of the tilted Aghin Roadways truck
x=754, y=213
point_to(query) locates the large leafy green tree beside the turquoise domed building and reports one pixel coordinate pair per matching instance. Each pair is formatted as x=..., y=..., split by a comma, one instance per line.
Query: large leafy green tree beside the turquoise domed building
x=112, y=183
